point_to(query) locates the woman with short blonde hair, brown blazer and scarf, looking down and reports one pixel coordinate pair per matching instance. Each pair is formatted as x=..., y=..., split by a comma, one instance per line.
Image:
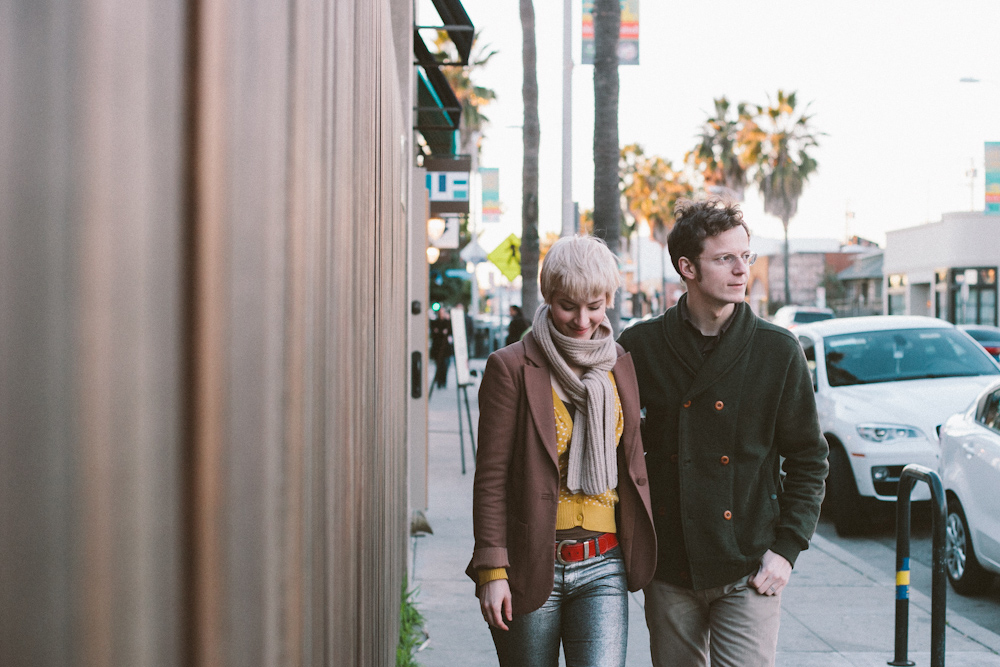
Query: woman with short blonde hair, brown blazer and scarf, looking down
x=561, y=509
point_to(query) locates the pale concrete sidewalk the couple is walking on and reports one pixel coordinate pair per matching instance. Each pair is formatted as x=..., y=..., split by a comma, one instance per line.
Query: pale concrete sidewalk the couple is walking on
x=838, y=610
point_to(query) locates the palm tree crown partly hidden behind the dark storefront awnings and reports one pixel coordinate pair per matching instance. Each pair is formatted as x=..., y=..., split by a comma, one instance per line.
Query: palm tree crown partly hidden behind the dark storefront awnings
x=472, y=97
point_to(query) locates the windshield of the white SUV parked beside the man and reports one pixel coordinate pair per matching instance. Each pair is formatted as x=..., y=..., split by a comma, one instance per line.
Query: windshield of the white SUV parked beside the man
x=902, y=354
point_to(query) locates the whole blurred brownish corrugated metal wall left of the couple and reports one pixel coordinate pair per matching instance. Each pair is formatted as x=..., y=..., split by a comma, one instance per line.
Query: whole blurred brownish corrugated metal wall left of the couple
x=202, y=331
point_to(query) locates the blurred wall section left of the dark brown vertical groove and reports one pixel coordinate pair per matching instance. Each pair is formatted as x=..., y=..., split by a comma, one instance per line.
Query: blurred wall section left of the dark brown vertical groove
x=90, y=172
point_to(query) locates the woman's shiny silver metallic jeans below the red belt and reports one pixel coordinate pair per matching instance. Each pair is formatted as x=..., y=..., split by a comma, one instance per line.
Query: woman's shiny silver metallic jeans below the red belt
x=587, y=611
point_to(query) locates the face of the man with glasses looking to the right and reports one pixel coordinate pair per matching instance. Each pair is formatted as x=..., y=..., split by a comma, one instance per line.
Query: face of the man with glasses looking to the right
x=718, y=282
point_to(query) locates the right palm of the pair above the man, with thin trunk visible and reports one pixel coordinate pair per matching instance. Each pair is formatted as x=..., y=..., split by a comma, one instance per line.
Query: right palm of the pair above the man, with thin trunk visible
x=778, y=140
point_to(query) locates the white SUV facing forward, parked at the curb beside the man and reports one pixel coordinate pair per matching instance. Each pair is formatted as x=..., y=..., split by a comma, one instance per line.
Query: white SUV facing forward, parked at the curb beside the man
x=884, y=385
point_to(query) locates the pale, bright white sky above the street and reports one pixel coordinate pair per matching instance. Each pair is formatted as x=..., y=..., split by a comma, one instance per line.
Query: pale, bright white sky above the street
x=881, y=78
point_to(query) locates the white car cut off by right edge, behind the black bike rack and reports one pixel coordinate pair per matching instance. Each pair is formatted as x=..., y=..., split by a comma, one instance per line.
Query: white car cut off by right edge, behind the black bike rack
x=970, y=471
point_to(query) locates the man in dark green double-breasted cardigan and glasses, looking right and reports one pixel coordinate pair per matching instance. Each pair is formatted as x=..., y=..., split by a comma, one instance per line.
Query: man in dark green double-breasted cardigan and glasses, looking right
x=727, y=397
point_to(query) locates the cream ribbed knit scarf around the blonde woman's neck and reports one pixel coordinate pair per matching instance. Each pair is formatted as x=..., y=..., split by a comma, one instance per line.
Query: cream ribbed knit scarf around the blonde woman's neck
x=593, y=463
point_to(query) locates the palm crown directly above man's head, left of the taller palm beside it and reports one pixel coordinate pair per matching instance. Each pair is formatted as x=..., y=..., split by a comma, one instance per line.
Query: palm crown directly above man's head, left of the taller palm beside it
x=720, y=156
